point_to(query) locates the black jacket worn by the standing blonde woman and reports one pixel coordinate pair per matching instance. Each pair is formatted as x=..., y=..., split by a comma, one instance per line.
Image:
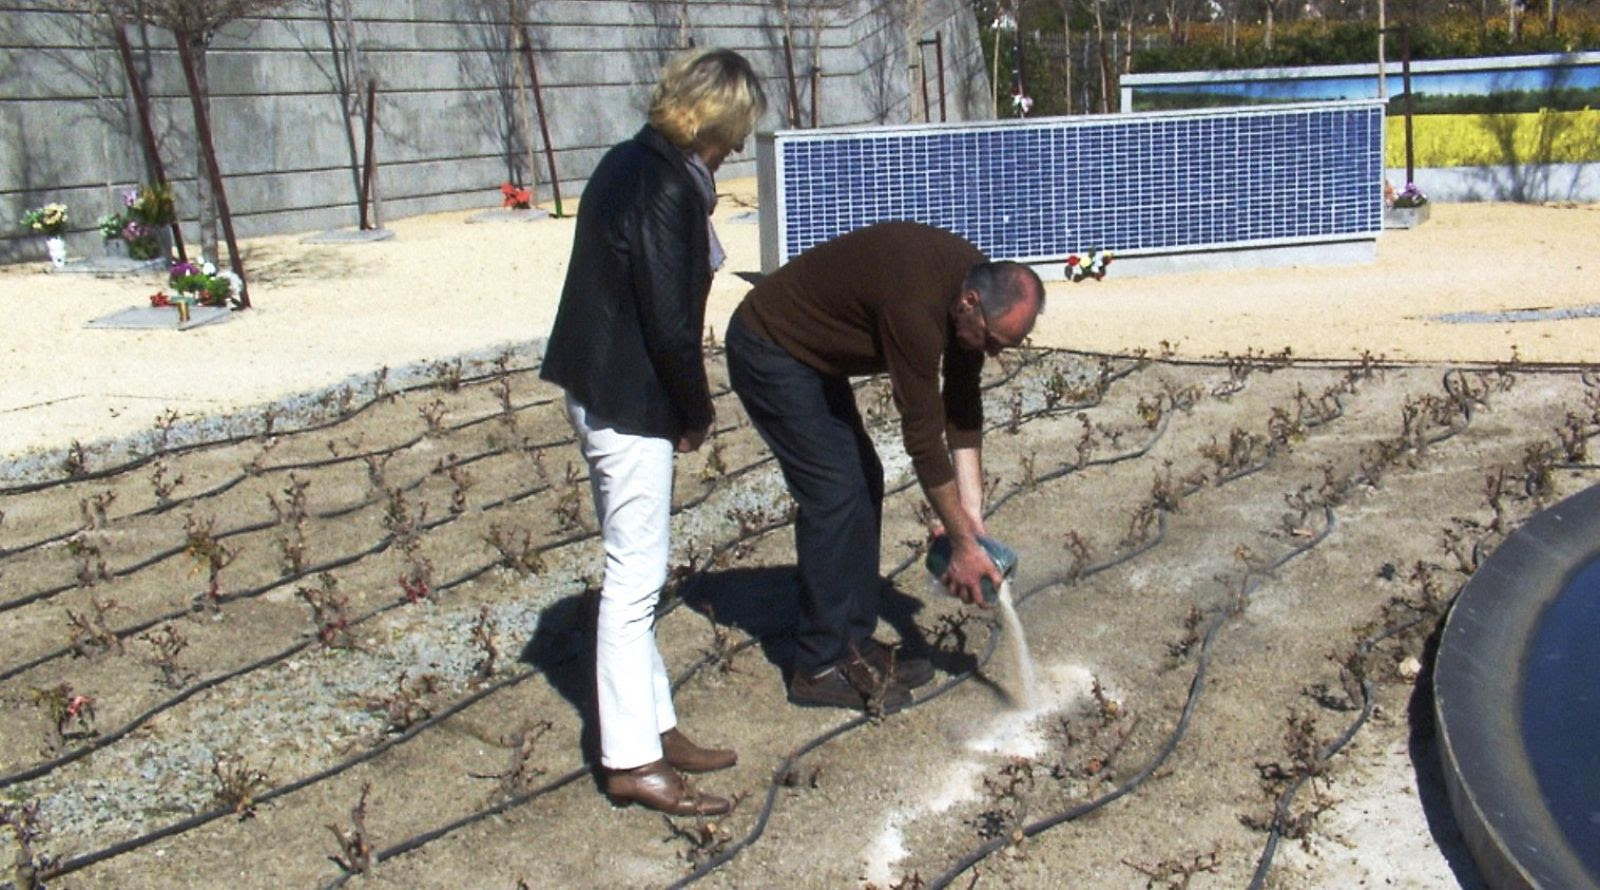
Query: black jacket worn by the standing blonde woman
x=628, y=334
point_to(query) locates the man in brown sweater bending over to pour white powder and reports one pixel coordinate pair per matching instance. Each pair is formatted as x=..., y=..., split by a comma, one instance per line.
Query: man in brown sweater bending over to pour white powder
x=924, y=307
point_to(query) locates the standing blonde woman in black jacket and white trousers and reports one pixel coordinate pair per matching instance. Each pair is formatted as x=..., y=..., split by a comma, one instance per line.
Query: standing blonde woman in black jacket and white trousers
x=626, y=348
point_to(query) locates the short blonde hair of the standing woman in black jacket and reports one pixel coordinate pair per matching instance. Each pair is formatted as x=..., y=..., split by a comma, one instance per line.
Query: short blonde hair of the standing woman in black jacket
x=708, y=97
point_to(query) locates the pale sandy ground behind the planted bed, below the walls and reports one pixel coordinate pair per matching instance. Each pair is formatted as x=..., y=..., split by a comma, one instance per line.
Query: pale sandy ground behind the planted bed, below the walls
x=439, y=289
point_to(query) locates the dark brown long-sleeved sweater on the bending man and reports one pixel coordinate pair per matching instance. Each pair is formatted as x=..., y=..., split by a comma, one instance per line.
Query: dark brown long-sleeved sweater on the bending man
x=879, y=300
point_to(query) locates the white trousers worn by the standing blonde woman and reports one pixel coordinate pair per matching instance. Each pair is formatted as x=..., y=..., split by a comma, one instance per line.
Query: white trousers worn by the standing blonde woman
x=631, y=481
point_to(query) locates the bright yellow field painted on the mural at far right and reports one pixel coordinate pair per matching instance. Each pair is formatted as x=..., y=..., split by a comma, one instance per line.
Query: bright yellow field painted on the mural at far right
x=1479, y=140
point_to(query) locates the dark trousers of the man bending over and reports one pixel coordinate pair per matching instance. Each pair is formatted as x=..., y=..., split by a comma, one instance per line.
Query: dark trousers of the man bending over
x=814, y=428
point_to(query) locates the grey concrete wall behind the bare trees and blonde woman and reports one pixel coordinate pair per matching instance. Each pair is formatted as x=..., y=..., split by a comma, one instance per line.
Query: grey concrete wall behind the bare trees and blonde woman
x=454, y=122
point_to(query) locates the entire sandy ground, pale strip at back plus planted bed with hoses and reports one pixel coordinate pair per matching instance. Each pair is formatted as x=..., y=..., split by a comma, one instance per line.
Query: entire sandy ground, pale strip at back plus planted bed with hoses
x=1255, y=521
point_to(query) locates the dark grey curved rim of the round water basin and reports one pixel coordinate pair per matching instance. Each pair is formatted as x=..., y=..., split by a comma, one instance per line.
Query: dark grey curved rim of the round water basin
x=1478, y=688
